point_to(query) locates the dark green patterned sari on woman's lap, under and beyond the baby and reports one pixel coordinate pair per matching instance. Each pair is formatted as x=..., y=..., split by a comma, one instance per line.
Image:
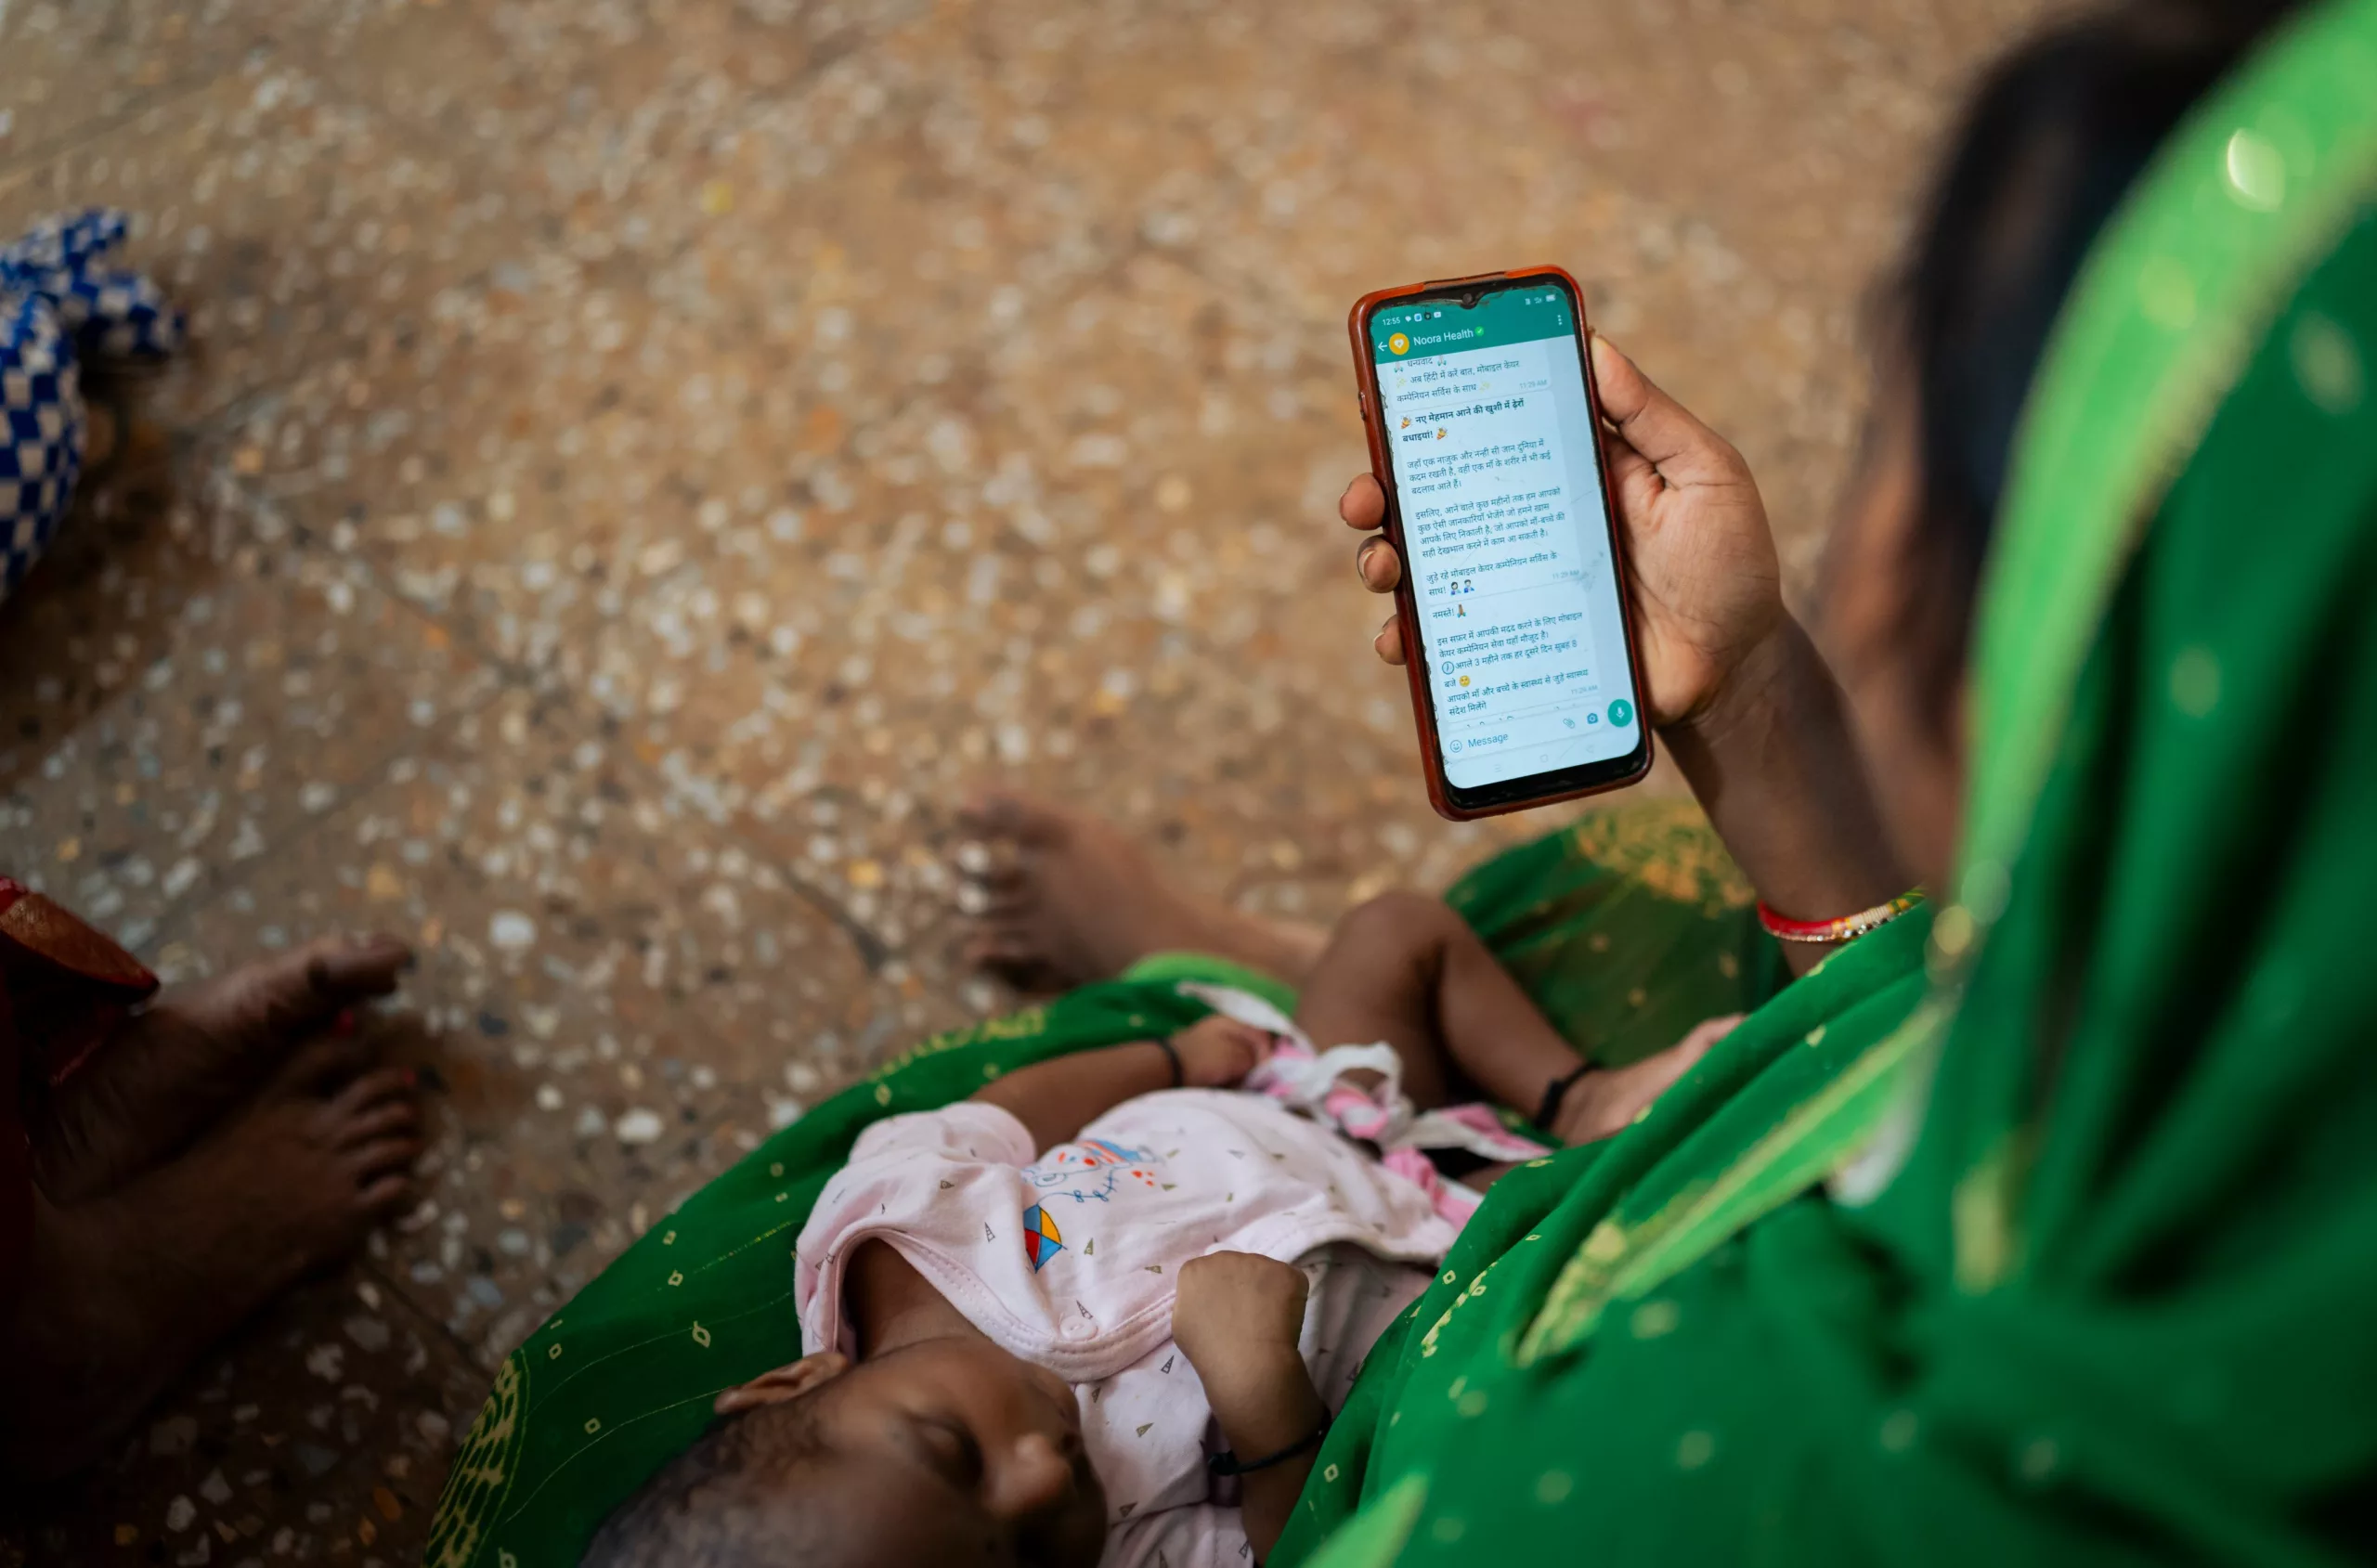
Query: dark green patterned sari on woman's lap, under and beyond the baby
x=1629, y=928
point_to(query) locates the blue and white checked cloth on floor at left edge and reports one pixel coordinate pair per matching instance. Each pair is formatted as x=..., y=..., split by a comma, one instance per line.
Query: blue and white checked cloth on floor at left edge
x=58, y=308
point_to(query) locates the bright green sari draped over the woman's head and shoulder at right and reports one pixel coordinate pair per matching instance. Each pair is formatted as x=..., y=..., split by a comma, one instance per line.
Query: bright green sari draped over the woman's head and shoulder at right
x=2074, y=1258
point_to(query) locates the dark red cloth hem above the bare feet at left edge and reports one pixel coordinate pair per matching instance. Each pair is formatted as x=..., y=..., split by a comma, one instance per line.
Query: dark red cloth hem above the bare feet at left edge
x=63, y=992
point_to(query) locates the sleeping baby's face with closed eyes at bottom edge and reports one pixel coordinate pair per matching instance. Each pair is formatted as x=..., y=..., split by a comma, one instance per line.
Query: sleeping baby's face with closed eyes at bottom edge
x=957, y=1453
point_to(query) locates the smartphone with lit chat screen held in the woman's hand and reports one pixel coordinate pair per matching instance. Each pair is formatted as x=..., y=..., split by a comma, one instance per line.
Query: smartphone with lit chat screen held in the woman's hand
x=1487, y=434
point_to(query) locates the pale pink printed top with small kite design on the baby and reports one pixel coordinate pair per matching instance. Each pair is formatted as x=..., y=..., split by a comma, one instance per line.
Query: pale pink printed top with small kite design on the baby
x=1068, y=1260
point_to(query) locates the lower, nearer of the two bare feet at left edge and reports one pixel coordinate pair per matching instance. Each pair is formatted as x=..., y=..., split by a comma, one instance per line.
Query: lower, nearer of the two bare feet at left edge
x=127, y=1289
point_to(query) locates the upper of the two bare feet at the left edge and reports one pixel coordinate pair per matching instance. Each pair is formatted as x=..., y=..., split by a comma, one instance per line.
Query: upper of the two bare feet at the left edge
x=175, y=1070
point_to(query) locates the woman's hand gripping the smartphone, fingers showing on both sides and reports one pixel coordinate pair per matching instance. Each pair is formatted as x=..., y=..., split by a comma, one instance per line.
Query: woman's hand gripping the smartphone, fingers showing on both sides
x=1701, y=559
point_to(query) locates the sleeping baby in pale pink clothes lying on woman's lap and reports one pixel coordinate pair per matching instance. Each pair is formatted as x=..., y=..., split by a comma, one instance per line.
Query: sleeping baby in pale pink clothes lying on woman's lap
x=1104, y=1310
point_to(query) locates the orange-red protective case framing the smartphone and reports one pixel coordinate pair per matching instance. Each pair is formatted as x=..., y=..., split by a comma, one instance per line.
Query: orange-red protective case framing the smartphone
x=1408, y=607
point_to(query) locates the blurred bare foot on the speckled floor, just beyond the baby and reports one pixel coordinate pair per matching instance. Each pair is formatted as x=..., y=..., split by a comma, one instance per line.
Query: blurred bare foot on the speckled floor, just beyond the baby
x=1061, y=899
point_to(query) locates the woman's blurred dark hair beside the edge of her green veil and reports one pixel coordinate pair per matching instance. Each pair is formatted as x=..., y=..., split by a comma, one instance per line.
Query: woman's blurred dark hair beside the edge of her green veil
x=2050, y=144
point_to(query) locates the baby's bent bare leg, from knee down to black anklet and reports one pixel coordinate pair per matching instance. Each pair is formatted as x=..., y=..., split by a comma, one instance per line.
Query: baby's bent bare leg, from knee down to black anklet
x=1408, y=970
